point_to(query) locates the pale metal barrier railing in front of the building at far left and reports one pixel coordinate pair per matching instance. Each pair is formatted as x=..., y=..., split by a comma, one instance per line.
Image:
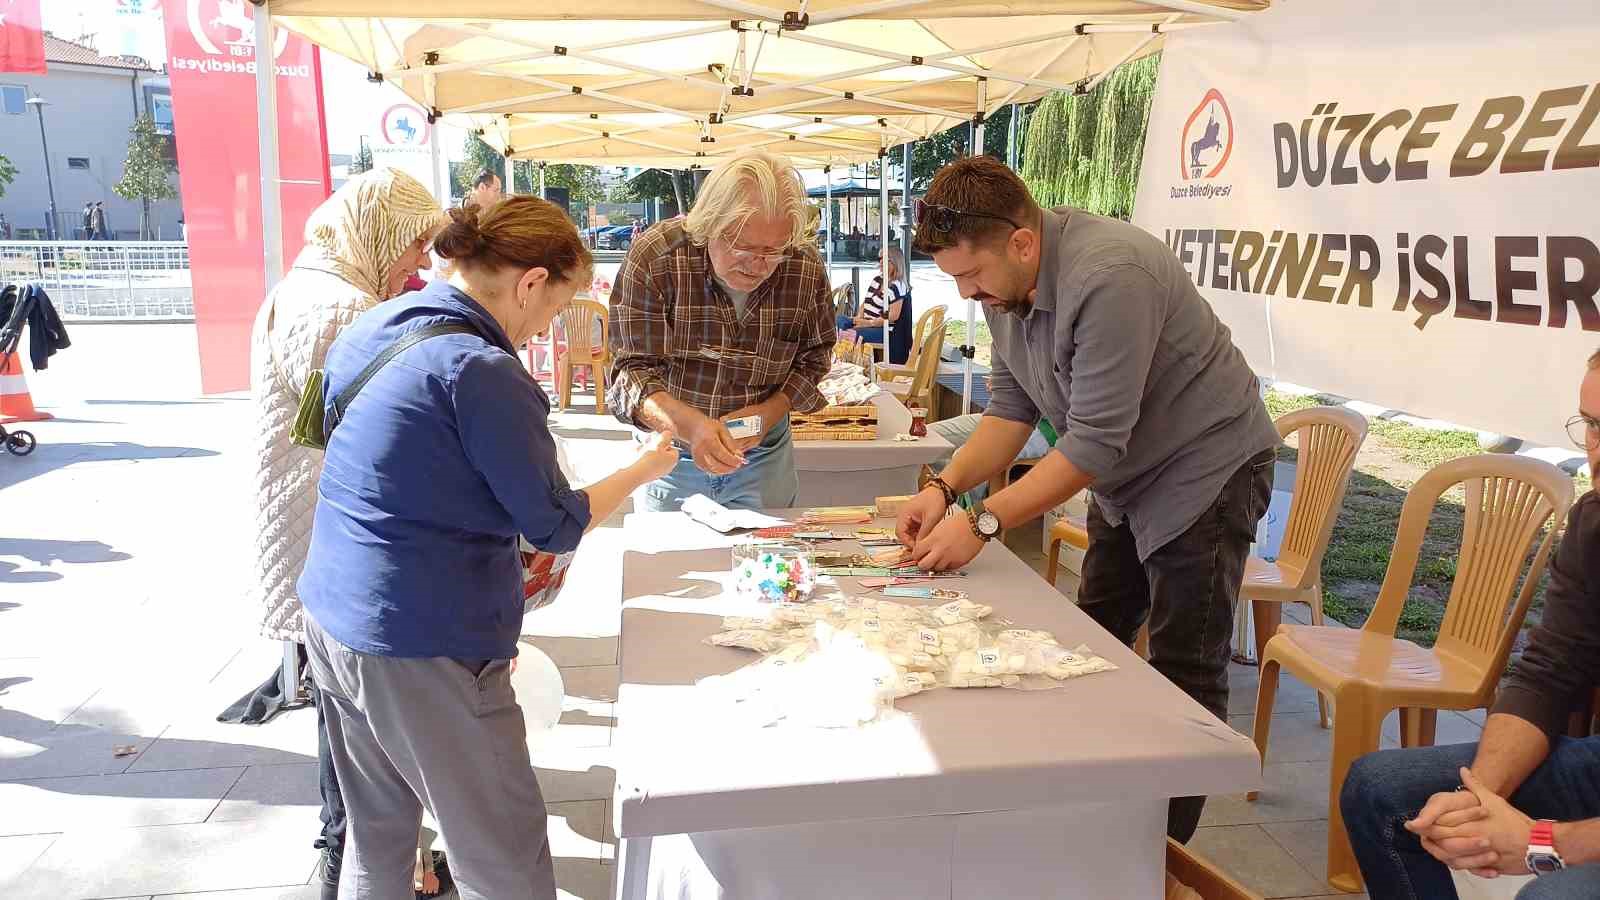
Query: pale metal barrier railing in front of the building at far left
x=105, y=279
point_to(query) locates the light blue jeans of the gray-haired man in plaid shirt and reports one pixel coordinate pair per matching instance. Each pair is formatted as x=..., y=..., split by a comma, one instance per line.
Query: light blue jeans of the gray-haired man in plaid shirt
x=767, y=481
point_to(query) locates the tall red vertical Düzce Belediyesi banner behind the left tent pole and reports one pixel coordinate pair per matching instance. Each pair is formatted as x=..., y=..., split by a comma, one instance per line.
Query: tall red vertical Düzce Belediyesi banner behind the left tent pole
x=212, y=62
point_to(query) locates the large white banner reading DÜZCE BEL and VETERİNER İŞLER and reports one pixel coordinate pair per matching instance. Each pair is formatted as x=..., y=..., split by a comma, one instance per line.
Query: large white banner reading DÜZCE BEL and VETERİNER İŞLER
x=1394, y=203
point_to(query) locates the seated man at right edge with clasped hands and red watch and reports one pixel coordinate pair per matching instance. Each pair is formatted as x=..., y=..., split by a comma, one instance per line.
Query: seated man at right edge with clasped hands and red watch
x=1524, y=795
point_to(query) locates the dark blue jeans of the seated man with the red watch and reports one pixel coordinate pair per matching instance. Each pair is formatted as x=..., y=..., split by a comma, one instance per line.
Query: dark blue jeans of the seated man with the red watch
x=1391, y=787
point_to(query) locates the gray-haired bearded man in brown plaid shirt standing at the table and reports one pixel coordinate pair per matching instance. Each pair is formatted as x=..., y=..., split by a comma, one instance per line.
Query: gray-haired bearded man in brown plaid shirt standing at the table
x=718, y=316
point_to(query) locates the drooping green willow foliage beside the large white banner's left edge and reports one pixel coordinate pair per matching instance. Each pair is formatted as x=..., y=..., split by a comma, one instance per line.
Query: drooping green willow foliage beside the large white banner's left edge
x=1086, y=150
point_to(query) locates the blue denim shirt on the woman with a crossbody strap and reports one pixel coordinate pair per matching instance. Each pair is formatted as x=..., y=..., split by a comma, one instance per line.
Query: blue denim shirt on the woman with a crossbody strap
x=439, y=464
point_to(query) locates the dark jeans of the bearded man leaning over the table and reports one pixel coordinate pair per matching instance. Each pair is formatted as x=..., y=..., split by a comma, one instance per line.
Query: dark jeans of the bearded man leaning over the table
x=1188, y=592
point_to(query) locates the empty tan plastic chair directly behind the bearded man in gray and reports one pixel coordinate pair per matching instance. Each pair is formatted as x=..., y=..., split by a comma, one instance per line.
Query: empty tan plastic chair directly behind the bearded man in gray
x=1329, y=441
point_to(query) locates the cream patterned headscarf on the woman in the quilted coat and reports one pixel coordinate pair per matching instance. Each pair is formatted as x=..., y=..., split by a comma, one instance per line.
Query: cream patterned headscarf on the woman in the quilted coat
x=364, y=230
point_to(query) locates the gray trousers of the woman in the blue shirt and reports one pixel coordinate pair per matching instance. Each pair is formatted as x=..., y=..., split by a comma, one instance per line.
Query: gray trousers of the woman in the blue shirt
x=433, y=733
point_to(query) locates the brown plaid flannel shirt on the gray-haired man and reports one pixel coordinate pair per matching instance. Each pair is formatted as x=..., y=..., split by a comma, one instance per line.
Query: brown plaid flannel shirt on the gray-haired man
x=674, y=329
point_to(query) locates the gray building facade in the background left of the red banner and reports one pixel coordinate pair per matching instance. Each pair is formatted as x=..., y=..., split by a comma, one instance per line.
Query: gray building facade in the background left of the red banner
x=92, y=103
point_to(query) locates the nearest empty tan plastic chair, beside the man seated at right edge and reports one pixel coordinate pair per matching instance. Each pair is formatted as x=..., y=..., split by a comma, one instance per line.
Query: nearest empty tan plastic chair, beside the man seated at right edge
x=1370, y=672
